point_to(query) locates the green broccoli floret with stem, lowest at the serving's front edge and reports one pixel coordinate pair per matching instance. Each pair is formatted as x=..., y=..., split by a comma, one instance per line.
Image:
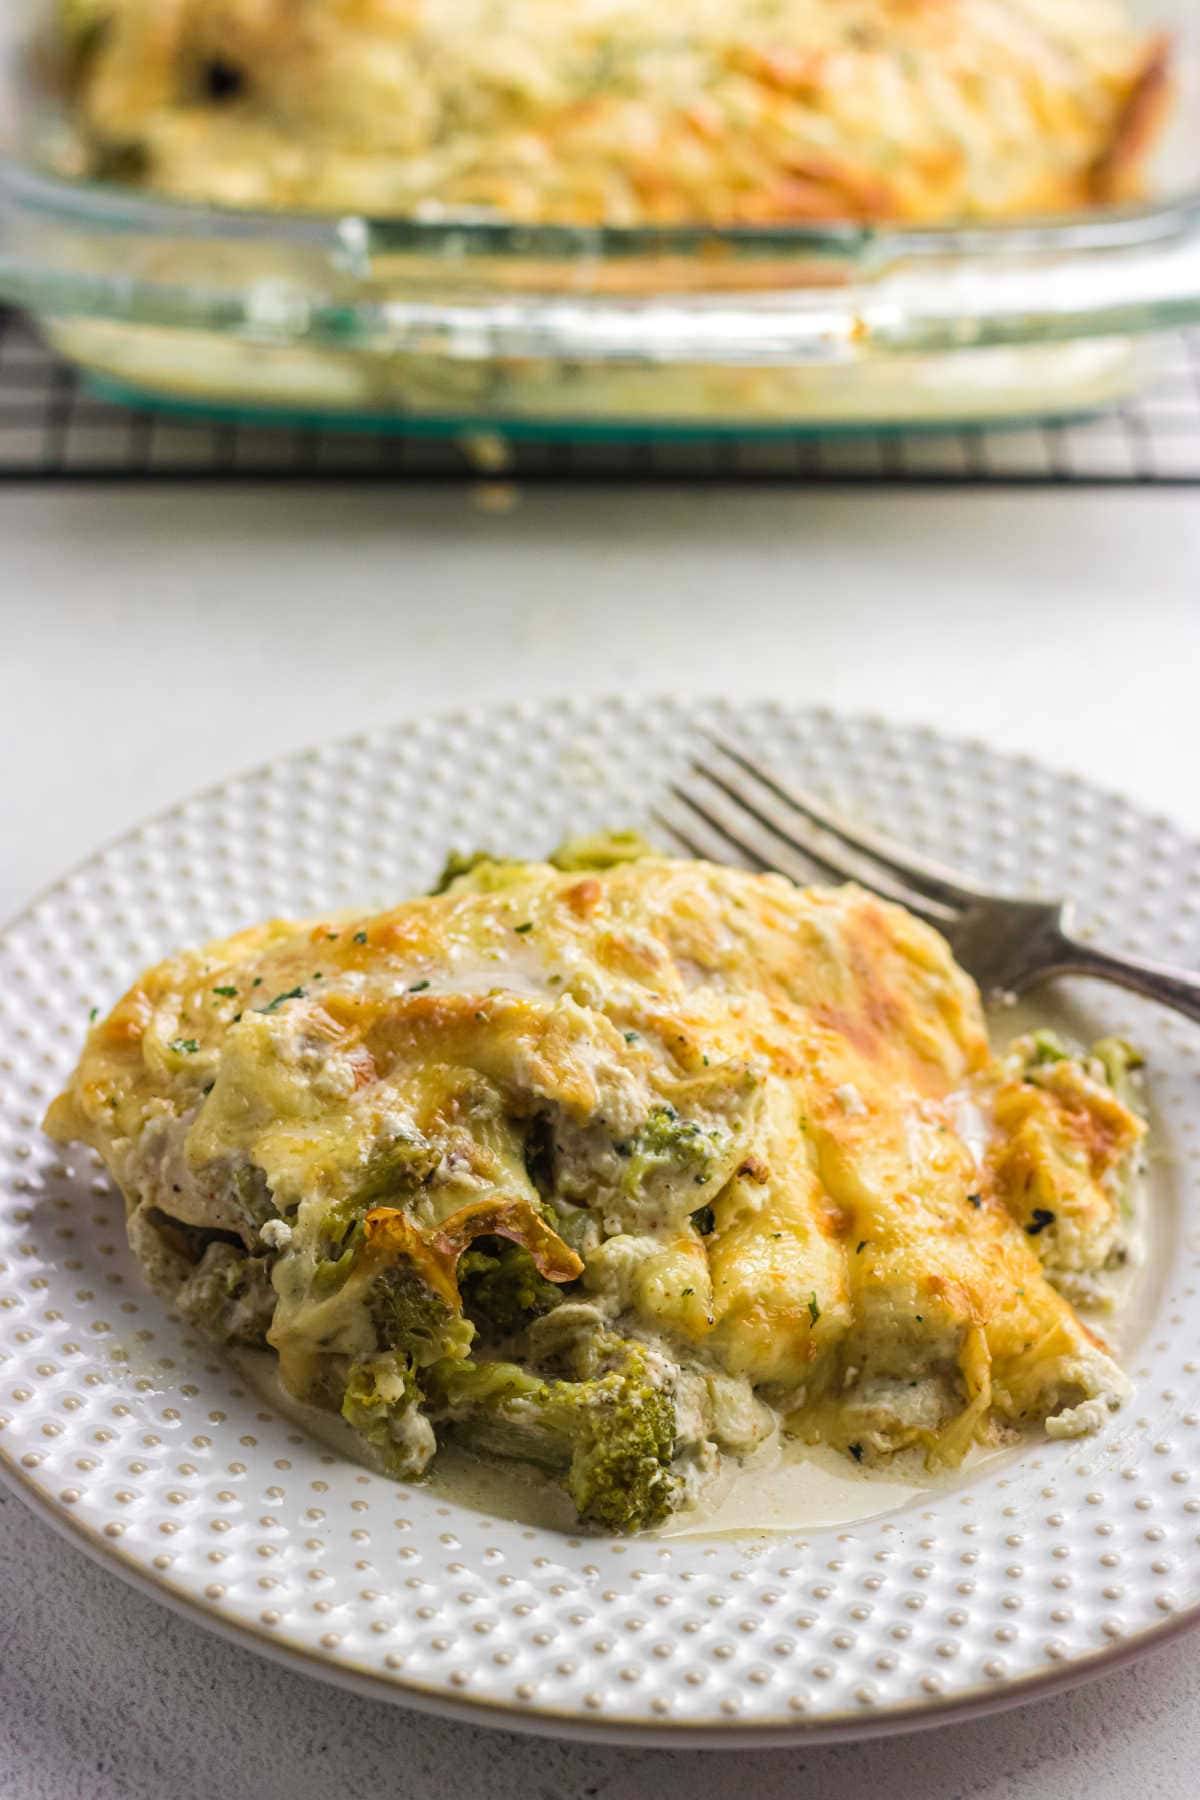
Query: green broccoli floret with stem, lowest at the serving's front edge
x=609, y=1439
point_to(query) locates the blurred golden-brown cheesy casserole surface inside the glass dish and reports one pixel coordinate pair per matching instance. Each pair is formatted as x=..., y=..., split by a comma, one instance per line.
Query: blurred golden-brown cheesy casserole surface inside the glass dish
x=616, y=112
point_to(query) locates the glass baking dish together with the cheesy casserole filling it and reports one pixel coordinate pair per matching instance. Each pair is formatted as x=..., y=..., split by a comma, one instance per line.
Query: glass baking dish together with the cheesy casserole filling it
x=557, y=215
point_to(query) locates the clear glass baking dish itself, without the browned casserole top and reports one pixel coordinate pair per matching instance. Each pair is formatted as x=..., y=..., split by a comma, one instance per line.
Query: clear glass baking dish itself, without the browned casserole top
x=577, y=330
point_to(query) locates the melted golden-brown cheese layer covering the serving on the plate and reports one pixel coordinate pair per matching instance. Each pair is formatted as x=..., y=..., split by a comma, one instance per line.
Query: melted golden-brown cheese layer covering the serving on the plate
x=737, y=1101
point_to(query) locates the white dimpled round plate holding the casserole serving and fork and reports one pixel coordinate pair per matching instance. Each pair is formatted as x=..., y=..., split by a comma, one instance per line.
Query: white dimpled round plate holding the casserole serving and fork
x=129, y=1432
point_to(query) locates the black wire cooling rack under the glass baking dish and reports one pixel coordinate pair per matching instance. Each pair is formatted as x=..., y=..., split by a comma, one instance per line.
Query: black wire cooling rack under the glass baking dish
x=53, y=427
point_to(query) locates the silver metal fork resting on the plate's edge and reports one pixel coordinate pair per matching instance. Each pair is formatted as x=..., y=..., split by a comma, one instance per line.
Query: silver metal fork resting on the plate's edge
x=1008, y=946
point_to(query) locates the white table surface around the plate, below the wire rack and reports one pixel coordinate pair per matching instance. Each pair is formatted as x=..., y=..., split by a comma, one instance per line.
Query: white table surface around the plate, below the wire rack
x=157, y=640
